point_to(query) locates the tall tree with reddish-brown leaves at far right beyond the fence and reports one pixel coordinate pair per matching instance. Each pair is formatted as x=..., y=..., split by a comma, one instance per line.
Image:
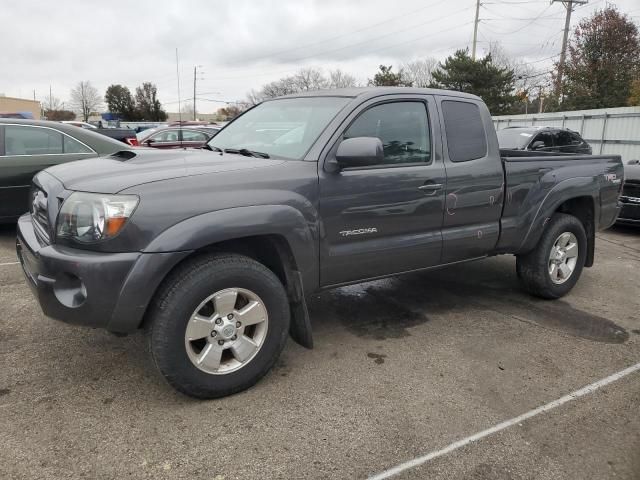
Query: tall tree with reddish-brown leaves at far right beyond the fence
x=603, y=60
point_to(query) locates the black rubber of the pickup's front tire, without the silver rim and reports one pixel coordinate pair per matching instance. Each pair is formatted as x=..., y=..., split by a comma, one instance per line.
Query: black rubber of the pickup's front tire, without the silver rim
x=180, y=301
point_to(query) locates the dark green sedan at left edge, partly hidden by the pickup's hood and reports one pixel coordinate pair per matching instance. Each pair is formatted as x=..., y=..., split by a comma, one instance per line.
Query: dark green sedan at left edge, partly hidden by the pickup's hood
x=28, y=146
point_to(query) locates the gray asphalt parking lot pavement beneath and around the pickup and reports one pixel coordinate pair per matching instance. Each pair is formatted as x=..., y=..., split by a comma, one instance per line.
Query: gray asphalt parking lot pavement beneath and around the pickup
x=402, y=369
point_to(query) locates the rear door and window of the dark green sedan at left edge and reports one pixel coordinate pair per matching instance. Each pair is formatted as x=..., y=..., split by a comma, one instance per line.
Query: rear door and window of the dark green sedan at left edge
x=27, y=149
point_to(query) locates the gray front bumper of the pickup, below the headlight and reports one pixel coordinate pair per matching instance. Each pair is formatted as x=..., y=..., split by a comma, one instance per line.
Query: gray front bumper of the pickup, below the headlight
x=93, y=289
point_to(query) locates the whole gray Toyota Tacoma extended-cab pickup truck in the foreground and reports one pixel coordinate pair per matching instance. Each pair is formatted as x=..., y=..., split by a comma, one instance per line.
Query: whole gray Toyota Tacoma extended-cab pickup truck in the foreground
x=212, y=252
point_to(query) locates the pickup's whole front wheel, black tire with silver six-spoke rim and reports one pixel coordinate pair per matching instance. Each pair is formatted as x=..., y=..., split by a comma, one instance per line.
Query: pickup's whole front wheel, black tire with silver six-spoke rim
x=218, y=324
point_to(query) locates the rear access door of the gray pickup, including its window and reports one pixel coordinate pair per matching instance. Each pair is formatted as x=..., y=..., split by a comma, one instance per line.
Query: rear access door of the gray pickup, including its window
x=474, y=193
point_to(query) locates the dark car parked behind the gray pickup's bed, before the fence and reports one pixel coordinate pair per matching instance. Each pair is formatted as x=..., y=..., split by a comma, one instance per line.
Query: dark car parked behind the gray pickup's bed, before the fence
x=543, y=139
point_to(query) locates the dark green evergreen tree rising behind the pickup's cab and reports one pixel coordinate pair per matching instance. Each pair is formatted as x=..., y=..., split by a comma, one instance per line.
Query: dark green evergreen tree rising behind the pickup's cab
x=493, y=83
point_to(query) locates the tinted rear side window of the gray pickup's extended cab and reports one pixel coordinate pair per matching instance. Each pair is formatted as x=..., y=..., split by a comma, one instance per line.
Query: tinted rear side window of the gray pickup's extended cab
x=466, y=138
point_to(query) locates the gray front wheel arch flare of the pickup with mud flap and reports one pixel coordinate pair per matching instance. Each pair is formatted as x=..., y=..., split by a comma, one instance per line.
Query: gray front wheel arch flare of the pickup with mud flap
x=277, y=236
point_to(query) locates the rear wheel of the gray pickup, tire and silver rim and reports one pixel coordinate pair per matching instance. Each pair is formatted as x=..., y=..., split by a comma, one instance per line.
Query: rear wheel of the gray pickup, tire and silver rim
x=554, y=266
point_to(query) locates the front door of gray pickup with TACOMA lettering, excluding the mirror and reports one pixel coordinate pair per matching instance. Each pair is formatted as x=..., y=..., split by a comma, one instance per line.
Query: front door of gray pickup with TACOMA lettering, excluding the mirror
x=386, y=218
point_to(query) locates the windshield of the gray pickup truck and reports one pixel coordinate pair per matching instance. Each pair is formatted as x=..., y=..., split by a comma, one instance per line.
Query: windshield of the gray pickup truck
x=284, y=128
